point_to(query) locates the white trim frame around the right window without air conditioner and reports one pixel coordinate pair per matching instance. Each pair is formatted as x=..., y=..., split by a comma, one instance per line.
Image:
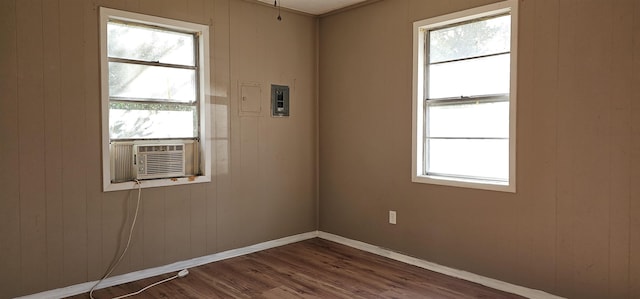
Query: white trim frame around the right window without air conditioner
x=417, y=171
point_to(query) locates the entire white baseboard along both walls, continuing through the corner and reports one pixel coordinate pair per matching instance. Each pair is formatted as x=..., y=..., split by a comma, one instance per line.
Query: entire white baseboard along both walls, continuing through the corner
x=177, y=266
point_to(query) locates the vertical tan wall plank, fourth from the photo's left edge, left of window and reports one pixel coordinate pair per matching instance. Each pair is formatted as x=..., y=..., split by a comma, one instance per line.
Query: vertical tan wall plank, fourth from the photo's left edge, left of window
x=74, y=139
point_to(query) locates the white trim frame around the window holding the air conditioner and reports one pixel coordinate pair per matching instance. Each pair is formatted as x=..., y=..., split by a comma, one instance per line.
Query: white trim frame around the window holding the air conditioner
x=105, y=15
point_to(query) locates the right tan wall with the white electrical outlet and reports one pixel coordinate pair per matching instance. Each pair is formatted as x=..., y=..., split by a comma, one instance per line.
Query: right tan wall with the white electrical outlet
x=573, y=227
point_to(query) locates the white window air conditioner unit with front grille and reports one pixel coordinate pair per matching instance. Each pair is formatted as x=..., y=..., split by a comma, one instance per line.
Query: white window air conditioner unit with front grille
x=152, y=161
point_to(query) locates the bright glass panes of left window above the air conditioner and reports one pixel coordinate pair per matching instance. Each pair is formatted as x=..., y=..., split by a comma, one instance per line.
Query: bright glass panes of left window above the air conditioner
x=153, y=75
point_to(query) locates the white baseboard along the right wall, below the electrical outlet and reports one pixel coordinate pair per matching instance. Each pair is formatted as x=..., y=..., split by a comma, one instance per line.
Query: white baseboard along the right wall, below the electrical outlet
x=468, y=276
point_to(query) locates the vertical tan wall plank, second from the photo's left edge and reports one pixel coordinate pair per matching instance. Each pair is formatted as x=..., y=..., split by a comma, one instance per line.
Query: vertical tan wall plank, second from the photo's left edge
x=32, y=157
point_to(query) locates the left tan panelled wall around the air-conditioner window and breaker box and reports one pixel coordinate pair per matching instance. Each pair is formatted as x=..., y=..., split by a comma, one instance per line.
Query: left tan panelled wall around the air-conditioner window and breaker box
x=56, y=226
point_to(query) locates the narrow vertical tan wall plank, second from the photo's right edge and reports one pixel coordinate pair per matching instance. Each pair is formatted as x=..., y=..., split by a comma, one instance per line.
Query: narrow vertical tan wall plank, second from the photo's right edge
x=621, y=81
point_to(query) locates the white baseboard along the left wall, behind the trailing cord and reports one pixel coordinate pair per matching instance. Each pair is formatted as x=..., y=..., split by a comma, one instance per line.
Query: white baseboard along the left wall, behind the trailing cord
x=174, y=267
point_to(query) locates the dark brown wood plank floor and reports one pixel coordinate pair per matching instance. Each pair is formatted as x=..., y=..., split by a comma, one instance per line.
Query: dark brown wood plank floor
x=313, y=268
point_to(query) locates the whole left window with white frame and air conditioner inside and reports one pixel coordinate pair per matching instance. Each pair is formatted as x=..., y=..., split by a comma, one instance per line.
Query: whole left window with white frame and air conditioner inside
x=154, y=77
